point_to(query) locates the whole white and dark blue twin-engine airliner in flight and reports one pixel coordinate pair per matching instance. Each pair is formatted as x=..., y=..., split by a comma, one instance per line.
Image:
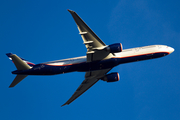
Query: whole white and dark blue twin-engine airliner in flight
x=99, y=60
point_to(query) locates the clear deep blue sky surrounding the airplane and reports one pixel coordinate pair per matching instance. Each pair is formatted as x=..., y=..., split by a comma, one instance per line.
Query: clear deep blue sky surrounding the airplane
x=43, y=30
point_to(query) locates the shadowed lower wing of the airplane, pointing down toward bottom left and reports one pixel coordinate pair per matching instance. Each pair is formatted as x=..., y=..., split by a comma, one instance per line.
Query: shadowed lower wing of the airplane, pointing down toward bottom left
x=90, y=79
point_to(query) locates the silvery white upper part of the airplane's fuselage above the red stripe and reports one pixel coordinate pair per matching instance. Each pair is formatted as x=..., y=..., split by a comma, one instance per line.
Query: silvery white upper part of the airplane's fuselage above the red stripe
x=126, y=53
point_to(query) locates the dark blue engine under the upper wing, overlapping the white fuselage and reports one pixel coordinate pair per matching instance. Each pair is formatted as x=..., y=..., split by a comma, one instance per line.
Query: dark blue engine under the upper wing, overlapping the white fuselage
x=114, y=48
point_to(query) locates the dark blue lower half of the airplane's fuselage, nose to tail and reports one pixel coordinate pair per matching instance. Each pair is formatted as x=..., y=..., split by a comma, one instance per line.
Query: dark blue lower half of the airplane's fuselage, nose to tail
x=45, y=69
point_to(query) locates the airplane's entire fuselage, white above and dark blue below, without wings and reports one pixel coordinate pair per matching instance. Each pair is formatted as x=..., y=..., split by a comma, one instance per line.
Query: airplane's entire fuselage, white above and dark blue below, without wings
x=80, y=63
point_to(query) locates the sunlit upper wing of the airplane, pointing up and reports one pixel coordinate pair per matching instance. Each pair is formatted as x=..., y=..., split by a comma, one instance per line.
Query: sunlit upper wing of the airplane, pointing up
x=95, y=46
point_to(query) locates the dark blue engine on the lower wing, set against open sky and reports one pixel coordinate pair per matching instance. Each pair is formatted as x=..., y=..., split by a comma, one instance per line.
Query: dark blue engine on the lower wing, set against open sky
x=112, y=77
